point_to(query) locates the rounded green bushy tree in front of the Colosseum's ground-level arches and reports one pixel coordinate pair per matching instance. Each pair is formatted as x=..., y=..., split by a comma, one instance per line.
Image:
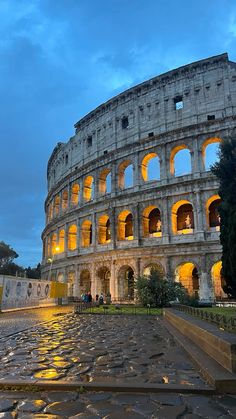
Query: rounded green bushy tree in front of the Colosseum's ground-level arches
x=157, y=291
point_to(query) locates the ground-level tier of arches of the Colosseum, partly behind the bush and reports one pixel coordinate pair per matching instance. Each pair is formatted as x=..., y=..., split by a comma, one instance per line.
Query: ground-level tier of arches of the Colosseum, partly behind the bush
x=115, y=274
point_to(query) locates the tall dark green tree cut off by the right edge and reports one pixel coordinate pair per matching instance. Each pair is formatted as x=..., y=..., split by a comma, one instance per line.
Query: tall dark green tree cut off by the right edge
x=225, y=171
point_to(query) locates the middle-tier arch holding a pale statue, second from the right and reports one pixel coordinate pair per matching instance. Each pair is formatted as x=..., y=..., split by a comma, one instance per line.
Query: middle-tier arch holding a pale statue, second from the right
x=182, y=217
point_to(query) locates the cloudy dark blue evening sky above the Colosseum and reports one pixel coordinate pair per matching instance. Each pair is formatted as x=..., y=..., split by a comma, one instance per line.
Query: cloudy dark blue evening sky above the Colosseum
x=61, y=58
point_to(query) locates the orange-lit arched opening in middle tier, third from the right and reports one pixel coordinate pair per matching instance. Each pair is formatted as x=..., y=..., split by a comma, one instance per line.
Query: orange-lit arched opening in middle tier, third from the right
x=152, y=226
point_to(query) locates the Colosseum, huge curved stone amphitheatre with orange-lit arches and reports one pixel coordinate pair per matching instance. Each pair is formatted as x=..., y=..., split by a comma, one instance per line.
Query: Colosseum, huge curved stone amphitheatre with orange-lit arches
x=132, y=189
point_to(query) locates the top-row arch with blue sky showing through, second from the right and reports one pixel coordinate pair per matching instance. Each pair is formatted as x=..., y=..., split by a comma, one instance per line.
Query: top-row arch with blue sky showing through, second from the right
x=180, y=161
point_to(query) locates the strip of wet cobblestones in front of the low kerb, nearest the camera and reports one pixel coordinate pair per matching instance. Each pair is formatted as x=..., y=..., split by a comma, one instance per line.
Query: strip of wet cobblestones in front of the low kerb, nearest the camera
x=72, y=405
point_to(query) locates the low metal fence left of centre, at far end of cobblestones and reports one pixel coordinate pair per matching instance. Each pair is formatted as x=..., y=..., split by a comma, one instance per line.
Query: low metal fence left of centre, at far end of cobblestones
x=114, y=309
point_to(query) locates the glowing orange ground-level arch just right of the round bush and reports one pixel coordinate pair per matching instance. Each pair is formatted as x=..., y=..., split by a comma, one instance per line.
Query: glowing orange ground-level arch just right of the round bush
x=187, y=275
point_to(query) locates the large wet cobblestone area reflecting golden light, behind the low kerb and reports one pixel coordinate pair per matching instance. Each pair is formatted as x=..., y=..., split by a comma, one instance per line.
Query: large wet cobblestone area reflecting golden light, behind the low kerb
x=99, y=348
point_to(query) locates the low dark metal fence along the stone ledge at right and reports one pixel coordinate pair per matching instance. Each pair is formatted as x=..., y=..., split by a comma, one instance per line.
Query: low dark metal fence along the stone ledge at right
x=223, y=322
